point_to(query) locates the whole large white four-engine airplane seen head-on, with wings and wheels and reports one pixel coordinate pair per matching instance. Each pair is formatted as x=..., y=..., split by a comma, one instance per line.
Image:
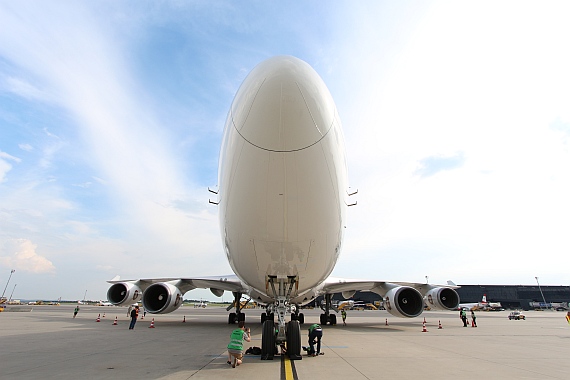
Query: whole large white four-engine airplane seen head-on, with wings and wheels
x=283, y=196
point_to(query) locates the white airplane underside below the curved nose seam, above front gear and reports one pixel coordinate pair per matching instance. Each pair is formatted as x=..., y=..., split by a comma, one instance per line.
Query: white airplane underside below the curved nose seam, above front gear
x=283, y=215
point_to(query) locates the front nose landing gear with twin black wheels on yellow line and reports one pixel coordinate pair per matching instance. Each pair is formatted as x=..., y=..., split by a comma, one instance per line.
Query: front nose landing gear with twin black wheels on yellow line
x=285, y=335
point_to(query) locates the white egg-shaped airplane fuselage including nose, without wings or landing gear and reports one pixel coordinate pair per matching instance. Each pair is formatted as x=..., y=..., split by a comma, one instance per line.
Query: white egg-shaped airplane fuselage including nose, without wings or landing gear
x=282, y=177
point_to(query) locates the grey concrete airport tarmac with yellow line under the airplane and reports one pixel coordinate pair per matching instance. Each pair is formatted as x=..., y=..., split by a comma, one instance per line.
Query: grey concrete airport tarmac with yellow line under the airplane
x=48, y=343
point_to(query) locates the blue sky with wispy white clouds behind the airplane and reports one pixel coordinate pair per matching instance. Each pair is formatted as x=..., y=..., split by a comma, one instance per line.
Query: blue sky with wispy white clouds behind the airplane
x=455, y=115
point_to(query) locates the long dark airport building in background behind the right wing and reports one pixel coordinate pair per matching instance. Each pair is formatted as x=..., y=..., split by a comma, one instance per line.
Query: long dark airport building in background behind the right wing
x=525, y=297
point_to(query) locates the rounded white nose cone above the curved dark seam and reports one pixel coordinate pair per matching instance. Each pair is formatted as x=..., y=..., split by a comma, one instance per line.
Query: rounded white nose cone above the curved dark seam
x=283, y=105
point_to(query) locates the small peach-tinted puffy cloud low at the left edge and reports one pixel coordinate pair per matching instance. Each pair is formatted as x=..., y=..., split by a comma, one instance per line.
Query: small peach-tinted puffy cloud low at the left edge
x=20, y=254
